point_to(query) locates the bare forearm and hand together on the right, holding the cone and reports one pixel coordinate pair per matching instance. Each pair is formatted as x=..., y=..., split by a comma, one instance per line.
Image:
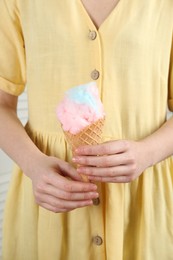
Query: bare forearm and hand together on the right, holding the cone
x=124, y=160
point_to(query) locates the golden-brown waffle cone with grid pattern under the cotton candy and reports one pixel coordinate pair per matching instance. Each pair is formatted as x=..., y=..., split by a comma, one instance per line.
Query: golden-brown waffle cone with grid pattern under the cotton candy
x=90, y=135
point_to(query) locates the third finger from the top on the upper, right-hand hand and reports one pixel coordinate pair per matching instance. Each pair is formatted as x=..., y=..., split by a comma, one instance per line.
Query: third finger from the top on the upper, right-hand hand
x=107, y=172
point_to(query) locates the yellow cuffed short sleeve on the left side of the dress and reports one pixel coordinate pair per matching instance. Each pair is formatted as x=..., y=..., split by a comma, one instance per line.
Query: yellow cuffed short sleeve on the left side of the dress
x=12, y=50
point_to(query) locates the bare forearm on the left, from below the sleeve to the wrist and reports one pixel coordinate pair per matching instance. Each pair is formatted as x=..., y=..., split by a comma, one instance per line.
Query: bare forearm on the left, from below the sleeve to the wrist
x=14, y=140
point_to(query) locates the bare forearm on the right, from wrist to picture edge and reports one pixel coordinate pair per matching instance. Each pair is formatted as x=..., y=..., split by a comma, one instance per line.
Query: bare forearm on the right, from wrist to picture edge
x=159, y=145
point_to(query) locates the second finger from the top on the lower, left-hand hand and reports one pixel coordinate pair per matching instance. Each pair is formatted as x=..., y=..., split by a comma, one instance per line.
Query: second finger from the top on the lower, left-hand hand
x=50, y=190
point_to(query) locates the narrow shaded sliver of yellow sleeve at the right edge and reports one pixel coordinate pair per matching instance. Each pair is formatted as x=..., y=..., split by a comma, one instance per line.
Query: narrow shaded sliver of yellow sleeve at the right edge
x=170, y=90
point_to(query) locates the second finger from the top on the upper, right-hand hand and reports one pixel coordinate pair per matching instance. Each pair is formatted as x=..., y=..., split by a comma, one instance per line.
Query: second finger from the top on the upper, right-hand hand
x=104, y=161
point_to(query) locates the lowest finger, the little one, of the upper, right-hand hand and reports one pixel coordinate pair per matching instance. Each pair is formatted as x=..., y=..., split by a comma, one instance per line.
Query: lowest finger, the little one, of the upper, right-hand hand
x=118, y=179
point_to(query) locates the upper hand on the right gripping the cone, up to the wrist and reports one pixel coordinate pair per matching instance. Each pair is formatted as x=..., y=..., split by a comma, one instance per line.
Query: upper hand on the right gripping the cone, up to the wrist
x=115, y=161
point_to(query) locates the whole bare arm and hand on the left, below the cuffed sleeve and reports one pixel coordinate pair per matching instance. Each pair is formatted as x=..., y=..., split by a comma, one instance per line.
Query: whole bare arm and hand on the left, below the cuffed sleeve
x=52, y=189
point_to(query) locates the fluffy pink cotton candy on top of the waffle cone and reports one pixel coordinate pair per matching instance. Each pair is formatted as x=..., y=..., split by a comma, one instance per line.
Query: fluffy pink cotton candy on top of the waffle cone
x=75, y=116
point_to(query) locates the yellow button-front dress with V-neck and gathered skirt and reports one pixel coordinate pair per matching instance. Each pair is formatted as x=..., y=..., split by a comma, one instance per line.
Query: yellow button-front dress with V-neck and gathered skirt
x=51, y=46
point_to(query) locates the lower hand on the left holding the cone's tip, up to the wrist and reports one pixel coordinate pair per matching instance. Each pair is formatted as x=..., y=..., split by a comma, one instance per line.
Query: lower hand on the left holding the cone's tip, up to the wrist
x=58, y=187
